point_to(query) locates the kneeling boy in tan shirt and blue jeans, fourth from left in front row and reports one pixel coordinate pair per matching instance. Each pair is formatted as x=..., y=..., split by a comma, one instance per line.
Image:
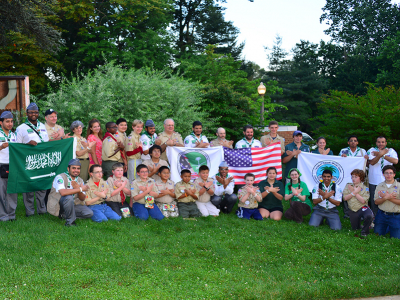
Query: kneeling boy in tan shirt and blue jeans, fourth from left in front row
x=143, y=193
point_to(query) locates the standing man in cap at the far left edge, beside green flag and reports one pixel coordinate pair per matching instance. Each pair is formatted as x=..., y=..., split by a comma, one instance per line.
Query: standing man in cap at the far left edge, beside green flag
x=8, y=202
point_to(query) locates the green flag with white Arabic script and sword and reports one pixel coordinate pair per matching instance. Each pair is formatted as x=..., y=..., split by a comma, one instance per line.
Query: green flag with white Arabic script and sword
x=33, y=168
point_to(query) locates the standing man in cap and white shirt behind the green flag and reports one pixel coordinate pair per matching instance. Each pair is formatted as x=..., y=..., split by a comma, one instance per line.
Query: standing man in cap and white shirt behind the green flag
x=32, y=132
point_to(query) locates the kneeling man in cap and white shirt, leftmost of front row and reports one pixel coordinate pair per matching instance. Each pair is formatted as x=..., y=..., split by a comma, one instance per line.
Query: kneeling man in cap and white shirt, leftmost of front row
x=67, y=195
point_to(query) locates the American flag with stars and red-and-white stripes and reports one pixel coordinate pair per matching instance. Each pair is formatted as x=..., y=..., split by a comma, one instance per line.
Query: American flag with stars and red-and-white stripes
x=253, y=160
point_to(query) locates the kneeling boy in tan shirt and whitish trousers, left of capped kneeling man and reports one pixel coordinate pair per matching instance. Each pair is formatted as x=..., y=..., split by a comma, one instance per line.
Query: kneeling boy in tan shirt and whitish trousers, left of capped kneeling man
x=205, y=186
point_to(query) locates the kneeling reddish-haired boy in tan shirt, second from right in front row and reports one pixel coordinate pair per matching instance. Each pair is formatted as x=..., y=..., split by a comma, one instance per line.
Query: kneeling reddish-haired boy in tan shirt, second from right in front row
x=356, y=194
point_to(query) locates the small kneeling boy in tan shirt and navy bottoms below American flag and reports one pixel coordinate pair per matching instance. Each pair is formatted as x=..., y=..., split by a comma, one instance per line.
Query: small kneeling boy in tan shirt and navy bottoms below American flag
x=249, y=196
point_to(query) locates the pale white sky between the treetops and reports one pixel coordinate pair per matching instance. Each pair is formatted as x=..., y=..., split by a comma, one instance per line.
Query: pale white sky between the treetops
x=260, y=21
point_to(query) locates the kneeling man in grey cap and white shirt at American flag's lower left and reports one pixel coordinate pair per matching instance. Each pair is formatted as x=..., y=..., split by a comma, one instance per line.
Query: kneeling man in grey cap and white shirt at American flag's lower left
x=224, y=199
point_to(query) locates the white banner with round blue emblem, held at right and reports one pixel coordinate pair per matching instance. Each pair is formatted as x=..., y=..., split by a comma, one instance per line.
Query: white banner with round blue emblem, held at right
x=312, y=165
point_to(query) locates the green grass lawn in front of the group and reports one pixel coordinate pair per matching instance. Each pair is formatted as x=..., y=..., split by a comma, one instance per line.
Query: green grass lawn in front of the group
x=210, y=258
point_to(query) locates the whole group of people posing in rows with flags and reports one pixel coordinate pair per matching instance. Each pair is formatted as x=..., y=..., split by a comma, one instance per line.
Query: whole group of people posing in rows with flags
x=113, y=166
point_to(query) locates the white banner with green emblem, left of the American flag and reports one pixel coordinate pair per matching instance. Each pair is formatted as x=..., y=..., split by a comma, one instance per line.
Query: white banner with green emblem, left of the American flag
x=181, y=158
